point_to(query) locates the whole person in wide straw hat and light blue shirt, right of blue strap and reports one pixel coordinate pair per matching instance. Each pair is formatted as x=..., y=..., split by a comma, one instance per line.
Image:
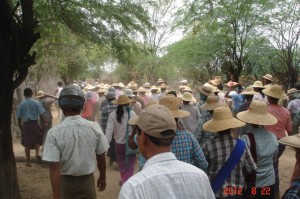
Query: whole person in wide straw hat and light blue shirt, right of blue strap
x=263, y=146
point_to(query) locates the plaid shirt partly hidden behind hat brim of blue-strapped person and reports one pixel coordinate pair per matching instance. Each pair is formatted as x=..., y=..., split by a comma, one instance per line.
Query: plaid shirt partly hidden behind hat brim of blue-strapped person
x=201, y=135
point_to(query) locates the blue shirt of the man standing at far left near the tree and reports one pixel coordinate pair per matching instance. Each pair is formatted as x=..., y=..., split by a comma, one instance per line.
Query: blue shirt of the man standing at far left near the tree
x=29, y=110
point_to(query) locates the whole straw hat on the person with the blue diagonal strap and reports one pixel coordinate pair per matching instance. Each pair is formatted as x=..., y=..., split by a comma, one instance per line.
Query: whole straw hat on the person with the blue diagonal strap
x=222, y=120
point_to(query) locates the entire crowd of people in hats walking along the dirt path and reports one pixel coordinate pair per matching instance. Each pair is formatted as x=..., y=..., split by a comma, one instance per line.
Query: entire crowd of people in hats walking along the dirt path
x=190, y=143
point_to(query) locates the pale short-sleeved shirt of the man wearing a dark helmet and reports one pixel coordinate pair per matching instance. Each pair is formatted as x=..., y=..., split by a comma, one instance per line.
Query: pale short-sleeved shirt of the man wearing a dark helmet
x=74, y=143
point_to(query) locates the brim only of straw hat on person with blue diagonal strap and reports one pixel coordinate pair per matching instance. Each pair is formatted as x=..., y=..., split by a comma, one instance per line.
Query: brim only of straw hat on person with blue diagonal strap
x=216, y=126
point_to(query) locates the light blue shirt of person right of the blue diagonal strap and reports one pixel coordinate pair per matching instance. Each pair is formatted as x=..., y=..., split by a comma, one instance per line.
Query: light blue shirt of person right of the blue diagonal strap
x=266, y=153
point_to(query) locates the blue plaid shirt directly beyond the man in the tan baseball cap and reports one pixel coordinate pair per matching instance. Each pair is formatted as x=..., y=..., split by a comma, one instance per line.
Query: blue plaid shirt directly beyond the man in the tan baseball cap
x=187, y=149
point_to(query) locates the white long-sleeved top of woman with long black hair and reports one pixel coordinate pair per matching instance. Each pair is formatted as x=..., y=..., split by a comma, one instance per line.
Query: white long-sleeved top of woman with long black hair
x=116, y=128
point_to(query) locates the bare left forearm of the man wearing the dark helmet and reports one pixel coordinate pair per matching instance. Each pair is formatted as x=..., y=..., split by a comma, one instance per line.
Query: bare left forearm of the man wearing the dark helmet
x=55, y=179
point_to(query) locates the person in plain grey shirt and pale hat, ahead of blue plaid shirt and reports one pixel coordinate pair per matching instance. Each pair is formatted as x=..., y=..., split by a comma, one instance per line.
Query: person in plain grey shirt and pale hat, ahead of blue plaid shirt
x=190, y=122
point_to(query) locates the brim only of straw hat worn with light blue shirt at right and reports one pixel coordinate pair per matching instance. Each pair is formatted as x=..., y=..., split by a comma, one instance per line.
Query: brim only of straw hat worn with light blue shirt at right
x=259, y=119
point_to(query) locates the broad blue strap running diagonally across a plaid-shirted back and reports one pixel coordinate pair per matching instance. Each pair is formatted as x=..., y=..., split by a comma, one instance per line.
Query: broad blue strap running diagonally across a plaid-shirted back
x=229, y=165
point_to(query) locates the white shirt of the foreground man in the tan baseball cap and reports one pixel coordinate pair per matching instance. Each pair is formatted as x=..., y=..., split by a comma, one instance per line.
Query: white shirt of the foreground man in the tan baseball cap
x=163, y=176
